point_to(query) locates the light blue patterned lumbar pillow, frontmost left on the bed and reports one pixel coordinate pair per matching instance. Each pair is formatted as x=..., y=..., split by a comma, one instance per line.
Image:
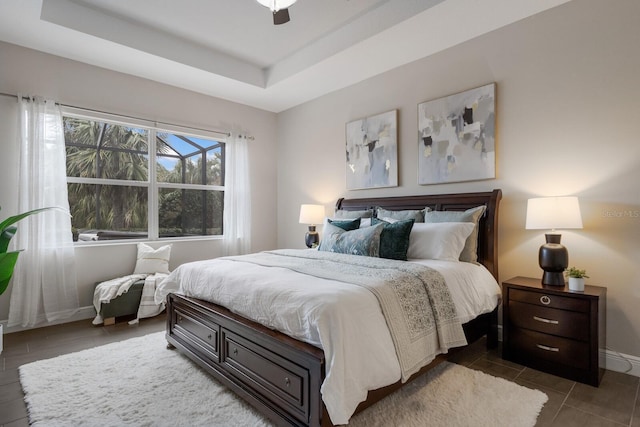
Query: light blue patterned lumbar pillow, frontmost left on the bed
x=363, y=241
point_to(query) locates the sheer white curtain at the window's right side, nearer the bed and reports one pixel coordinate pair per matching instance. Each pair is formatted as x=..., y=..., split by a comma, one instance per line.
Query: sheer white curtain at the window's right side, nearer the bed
x=237, y=197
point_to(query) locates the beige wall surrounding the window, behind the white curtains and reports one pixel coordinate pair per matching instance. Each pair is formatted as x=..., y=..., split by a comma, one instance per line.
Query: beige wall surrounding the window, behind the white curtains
x=69, y=82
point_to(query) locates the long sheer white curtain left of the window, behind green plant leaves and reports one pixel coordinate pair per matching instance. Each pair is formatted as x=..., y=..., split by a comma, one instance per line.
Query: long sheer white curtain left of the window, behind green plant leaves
x=44, y=280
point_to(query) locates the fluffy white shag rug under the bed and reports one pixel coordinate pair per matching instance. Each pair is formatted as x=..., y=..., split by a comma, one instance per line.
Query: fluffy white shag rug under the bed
x=138, y=382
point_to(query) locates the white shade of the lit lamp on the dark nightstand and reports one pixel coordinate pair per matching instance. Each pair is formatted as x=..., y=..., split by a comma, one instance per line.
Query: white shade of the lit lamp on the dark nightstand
x=553, y=213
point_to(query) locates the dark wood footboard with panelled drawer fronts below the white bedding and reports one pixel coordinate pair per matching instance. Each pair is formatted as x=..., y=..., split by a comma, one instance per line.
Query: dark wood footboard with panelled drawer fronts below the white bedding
x=277, y=375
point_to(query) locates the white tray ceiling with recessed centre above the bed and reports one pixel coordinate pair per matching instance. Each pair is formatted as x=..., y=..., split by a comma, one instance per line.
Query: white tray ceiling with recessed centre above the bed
x=231, y=49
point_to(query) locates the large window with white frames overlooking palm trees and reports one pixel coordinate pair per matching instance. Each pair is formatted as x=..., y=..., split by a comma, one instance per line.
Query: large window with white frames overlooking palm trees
x=138, y=181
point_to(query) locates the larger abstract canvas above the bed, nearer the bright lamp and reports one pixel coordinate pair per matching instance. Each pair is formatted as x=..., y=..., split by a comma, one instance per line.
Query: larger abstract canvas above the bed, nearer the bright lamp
x=456, y=137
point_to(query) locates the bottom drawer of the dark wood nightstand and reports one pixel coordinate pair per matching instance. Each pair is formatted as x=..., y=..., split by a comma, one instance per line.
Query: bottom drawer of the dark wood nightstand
x=549, y=347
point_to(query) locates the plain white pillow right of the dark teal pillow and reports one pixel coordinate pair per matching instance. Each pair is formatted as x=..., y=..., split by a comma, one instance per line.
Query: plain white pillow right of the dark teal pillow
x=442, y=240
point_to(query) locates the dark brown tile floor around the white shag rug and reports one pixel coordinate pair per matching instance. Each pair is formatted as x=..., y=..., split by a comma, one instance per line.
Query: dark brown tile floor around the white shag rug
x=615, y=403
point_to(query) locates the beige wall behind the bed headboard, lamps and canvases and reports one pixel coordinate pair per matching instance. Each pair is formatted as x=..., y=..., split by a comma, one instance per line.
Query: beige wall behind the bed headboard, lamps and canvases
x=567, y=124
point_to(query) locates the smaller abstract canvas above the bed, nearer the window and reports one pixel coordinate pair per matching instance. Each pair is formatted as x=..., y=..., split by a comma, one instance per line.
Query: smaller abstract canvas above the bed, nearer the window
x=372, y=152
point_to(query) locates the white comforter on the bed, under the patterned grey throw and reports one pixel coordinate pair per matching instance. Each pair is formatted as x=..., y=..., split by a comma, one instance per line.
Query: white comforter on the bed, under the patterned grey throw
x=344, y=320
